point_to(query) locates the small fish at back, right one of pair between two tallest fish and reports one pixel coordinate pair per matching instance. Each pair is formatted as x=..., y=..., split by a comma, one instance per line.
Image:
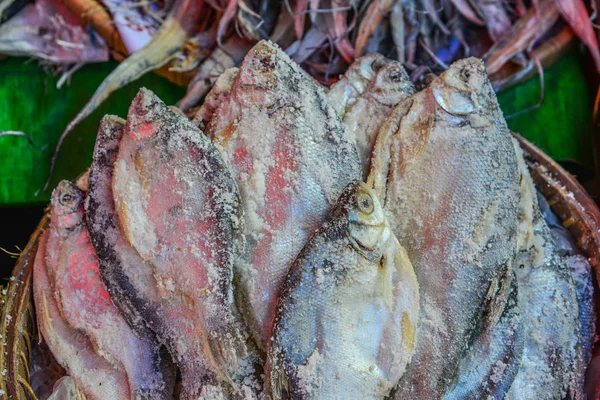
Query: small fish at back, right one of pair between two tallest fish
x=365, y=116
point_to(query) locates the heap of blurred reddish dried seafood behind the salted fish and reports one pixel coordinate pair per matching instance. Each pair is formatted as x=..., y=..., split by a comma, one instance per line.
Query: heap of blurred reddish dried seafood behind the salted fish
x=194, y=41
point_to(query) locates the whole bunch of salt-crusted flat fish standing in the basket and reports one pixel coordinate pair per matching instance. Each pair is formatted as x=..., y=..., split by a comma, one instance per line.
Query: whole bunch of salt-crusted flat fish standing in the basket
x=368, y=241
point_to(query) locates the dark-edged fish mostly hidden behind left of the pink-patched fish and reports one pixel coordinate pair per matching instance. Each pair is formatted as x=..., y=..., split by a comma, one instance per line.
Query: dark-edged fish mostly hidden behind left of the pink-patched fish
x=130, y=279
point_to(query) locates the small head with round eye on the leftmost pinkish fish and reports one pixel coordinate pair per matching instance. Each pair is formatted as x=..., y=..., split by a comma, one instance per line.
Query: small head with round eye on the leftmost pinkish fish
x=67, y=205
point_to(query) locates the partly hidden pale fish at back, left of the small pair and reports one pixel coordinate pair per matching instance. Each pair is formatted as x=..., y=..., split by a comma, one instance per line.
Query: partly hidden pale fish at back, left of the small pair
x=354, y=82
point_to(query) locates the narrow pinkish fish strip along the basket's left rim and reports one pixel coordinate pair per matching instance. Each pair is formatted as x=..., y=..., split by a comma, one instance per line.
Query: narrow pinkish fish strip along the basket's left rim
x=92, y=373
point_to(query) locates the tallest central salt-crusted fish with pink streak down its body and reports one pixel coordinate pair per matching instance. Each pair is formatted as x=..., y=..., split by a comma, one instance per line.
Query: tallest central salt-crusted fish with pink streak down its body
x=291, y=158
